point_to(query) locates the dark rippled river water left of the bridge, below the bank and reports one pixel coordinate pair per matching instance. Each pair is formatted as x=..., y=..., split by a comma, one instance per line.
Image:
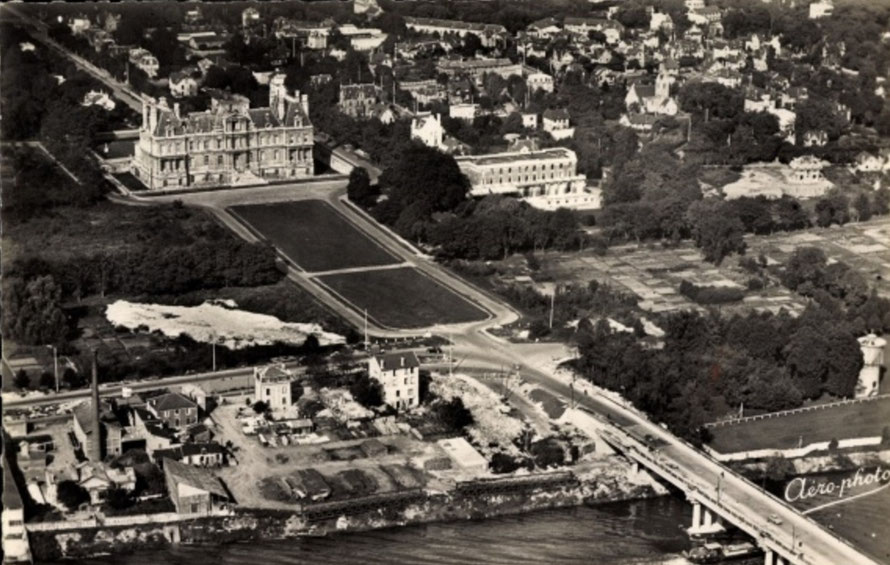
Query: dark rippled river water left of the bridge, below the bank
x=640, y=532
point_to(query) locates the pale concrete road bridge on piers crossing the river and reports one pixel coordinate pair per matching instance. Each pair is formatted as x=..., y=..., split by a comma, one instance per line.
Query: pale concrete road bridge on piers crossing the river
x=719, y=496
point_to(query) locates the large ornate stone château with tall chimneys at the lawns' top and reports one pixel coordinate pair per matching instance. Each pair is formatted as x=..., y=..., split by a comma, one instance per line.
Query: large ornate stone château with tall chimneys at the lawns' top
x=230, y=144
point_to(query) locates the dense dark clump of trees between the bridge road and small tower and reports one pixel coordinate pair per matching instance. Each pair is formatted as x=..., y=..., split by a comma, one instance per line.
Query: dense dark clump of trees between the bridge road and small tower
x=711, y=365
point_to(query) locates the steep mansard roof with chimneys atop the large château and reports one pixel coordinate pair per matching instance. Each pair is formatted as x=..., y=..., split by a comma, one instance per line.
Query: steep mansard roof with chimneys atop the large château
x=213, y=120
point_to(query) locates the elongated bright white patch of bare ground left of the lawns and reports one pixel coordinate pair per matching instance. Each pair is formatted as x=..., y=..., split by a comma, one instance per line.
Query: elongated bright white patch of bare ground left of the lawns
x=216, y=322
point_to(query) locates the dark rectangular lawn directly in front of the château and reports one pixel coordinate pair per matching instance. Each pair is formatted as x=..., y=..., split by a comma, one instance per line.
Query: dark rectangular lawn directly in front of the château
x=313, y=235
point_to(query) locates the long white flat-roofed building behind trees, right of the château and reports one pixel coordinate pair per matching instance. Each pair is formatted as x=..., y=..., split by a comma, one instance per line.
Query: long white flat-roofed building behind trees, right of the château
x=545, y=178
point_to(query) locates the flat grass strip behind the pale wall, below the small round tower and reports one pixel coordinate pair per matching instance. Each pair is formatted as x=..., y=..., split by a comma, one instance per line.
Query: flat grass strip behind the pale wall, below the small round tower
x=840, y=422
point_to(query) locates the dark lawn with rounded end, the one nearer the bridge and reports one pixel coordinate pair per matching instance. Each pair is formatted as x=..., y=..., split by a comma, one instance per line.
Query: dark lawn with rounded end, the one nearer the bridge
x=403, y=298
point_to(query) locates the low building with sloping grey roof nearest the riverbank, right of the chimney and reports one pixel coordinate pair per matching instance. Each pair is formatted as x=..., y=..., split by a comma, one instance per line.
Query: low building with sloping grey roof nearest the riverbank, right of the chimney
x=194, y=490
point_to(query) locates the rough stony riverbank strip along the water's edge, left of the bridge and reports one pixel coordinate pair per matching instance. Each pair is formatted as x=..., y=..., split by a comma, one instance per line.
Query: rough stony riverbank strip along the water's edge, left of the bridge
x=477, y=500
